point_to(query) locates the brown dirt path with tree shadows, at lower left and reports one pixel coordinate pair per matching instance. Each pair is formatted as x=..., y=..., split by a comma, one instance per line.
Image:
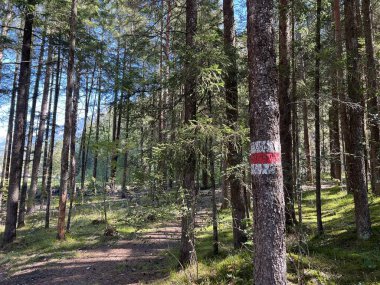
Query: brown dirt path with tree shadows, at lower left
x=136, y=261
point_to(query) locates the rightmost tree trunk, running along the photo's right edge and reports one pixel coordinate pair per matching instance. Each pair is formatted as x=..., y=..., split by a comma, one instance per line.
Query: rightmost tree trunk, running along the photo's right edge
x=372, y=103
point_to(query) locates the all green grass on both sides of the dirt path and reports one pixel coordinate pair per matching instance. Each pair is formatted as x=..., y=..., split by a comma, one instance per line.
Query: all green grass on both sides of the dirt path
x=337, y=257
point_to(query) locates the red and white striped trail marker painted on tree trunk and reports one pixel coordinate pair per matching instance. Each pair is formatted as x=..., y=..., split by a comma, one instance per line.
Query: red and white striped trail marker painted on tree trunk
x=265, y=157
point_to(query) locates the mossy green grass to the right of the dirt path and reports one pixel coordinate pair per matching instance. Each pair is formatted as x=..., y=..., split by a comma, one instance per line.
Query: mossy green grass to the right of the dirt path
x=335, y=258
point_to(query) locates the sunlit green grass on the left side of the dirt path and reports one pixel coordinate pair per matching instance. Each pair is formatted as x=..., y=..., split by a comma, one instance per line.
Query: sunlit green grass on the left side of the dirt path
x=35, y=243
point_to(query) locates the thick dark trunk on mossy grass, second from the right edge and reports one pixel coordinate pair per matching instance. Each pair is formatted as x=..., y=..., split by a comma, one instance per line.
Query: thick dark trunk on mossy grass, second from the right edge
x=354, y=146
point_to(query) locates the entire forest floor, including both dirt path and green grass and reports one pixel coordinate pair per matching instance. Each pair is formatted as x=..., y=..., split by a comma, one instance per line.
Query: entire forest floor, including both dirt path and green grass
x=145, y=247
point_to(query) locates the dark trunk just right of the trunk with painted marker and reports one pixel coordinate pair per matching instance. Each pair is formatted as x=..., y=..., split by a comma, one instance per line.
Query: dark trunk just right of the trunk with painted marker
x=285, y=112
